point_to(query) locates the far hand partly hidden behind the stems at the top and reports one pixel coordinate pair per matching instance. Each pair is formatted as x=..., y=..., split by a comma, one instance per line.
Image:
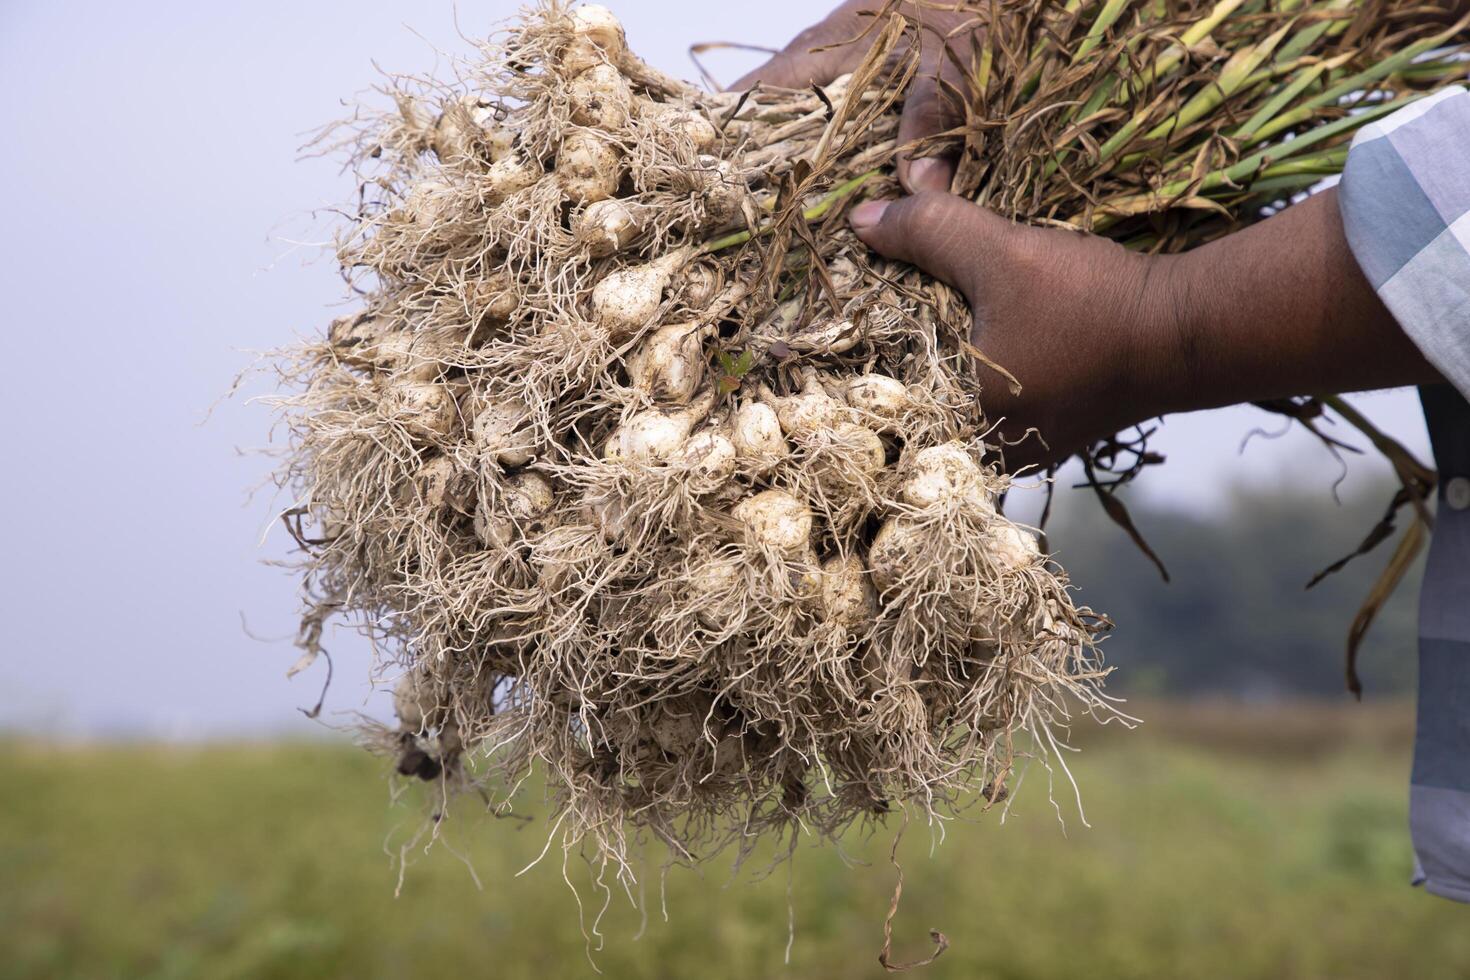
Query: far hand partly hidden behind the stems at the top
x=845, y=37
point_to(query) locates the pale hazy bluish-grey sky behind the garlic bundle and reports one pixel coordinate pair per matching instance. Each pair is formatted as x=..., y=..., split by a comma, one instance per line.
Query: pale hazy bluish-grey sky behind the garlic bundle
x=158, y=227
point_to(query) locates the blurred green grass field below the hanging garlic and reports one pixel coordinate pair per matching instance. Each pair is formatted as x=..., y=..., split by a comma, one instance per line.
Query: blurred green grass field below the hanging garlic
x=1225, y=843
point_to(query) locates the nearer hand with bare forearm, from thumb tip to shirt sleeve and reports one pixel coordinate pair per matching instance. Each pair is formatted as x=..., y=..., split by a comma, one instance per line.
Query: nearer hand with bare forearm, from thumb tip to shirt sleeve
x=1102, y=339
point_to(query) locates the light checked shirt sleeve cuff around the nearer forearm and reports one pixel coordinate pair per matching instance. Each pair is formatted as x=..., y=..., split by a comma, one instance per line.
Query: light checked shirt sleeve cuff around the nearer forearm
x=1406, y=211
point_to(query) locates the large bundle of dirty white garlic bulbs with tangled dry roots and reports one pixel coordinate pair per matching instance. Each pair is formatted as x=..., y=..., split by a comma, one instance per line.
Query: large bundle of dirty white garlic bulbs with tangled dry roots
x=650, y=478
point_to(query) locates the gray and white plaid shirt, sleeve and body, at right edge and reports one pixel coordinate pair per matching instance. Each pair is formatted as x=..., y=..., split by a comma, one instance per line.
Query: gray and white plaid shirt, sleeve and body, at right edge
x=1406, y=211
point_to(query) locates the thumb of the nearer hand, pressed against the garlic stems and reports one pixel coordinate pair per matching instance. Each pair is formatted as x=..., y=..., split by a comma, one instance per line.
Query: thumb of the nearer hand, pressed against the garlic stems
x=946, y=236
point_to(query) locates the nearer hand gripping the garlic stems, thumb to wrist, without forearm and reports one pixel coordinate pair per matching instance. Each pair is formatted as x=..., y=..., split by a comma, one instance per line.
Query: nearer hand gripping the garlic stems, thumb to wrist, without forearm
x=1083, y=324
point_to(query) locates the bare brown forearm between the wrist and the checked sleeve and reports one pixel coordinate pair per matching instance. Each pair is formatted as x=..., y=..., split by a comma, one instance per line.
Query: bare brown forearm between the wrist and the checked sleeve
x=1280, y=309
